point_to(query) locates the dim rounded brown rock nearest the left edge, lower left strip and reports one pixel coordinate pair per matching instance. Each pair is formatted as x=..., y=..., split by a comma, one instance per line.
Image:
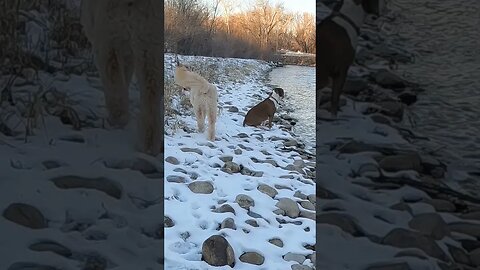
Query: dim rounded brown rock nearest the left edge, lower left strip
x=25, y=215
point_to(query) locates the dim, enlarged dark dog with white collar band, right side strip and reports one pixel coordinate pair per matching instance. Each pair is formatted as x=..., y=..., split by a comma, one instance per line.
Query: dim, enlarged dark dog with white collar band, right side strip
x=337, y=40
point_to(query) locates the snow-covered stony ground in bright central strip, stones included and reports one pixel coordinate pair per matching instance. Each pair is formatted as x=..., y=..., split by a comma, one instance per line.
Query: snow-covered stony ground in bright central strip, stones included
x=252, y=186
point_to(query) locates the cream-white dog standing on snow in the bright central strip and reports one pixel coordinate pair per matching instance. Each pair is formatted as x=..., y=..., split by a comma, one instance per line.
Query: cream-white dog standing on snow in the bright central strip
x=203, y=96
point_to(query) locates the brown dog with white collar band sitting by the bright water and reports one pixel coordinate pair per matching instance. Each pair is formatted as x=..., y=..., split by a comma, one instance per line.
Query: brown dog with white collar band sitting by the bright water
x=263, y=112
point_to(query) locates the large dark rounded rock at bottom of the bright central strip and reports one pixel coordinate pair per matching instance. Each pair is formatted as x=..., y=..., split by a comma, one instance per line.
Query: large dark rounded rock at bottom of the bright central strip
x=216, y=251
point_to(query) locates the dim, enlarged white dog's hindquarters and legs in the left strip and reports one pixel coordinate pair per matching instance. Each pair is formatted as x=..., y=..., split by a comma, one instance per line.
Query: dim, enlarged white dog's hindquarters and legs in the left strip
x=125, y=39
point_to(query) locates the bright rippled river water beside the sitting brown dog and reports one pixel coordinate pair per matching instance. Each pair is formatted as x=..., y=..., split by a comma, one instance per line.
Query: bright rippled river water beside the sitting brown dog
x=299, y=85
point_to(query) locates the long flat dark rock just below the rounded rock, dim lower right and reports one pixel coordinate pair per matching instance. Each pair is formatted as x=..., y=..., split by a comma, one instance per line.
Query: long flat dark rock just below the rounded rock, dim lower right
x=403, y=238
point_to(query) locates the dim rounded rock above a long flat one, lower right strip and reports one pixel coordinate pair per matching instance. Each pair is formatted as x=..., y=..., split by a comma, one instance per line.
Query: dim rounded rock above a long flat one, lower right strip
x=431, y=224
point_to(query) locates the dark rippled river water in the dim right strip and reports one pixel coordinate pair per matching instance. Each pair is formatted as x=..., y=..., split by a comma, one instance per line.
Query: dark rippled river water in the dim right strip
x=445, y=37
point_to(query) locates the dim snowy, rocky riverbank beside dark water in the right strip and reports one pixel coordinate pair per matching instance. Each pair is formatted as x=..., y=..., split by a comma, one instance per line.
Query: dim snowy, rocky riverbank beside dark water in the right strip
x=383, y=202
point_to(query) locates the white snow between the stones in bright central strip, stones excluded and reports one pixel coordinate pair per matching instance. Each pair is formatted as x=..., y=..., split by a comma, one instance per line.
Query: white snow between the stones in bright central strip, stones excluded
x=192, y=212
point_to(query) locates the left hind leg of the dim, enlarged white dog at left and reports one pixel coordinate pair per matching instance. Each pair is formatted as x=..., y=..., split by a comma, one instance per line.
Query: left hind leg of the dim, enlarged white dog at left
x=111, y=67
